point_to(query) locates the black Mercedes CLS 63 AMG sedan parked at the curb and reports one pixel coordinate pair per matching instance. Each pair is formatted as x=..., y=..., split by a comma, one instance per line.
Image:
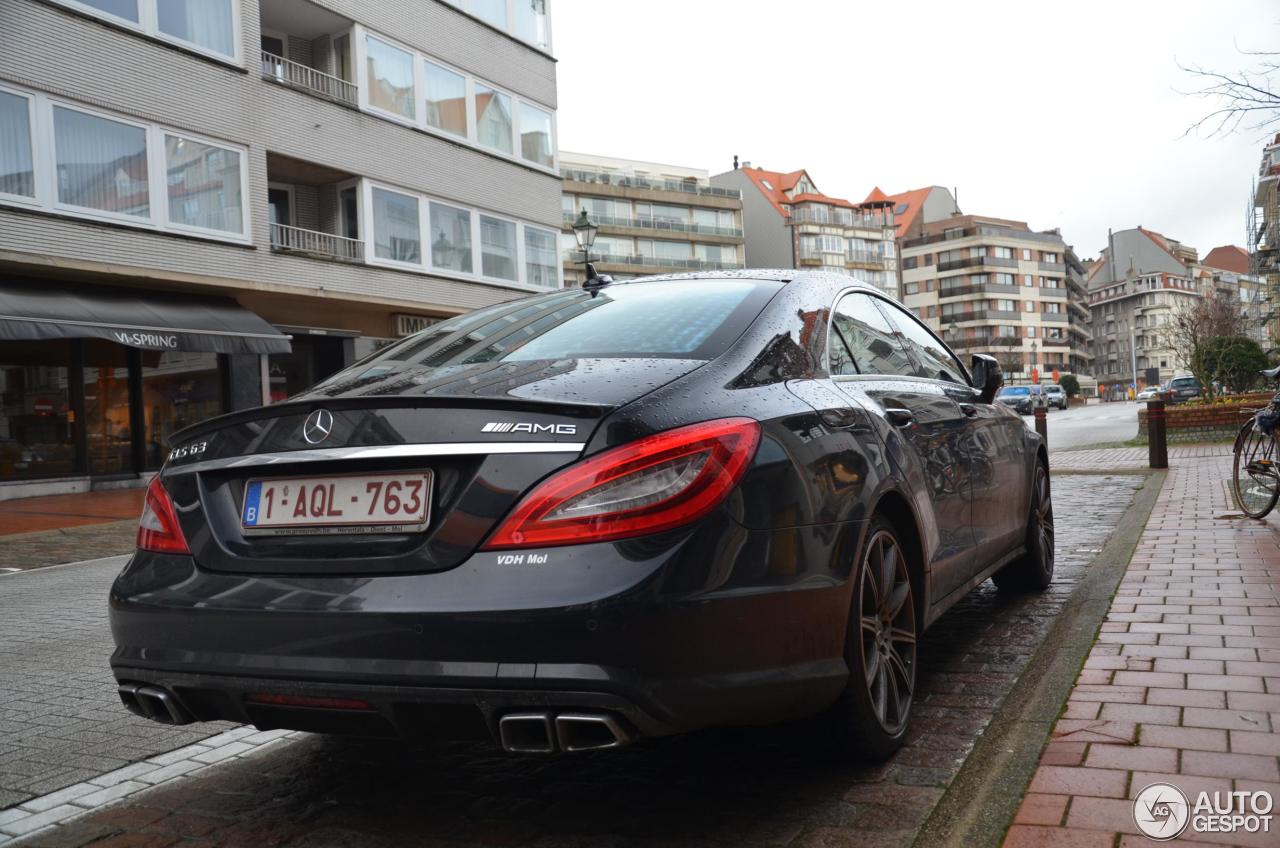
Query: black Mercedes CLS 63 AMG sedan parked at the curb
x=591, y=517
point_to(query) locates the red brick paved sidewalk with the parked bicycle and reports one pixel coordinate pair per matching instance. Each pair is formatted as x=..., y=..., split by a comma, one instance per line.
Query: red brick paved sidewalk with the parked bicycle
x=1183, y=685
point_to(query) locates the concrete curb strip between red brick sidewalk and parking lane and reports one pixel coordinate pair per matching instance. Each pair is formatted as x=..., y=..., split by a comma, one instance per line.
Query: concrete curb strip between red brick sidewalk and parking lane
x=982, y=801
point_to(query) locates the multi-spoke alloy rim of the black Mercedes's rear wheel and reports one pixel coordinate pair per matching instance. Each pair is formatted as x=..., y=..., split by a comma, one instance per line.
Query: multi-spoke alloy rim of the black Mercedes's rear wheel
x=888, y=617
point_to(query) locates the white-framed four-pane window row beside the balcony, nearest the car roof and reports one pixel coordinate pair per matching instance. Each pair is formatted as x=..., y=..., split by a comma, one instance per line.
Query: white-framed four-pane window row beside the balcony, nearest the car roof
x=424, y=226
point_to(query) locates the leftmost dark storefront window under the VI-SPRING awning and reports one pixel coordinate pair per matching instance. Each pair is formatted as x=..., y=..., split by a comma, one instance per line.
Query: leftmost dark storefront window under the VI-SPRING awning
x=36, y=427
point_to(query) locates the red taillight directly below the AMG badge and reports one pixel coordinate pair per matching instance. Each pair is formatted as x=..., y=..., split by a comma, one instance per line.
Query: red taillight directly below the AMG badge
x=652, y=485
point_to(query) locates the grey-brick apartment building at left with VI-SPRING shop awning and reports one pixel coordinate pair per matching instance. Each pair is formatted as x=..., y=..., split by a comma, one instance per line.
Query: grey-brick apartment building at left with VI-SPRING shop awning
x=211, y=204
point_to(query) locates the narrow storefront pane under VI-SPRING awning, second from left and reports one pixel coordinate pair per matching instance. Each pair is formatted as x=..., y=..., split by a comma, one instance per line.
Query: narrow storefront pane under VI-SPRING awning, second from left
x=109, y=439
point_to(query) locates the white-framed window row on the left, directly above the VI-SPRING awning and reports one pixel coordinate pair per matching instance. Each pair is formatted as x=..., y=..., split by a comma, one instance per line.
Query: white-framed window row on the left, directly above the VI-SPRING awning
x=40, y=112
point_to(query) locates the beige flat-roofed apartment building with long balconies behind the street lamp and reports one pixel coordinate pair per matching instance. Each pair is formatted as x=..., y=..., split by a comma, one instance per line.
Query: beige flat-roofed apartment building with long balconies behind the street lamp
x=652, y=218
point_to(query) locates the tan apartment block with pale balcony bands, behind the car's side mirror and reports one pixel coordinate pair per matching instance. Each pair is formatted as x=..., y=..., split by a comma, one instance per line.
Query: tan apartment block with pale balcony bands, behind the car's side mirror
x=995, y=286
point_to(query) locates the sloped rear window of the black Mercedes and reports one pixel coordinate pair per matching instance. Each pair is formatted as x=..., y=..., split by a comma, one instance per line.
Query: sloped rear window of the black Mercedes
x=678, y=320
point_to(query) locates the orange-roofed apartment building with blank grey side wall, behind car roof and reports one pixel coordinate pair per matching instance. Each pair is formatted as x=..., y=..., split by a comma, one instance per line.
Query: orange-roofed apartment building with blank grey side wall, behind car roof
x=789, y=224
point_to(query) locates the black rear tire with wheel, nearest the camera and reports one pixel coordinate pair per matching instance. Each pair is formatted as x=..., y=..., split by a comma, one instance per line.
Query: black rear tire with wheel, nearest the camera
x=874, y=713
